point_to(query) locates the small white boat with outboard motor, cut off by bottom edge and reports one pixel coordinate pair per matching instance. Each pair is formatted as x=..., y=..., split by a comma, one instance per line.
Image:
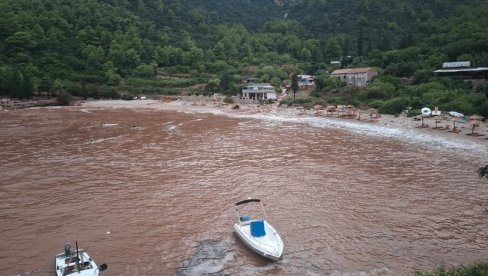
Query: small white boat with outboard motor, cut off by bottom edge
x=77, y=263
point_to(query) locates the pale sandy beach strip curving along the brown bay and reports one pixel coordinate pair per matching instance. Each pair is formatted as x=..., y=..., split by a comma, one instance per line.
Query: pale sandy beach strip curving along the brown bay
x=430, y=131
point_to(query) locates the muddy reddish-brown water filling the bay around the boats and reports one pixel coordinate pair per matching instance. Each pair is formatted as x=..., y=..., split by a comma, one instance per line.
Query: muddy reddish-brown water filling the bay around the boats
x=152, y=192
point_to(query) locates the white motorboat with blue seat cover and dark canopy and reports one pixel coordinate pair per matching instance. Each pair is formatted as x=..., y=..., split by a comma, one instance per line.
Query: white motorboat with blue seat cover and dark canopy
x=257, y=233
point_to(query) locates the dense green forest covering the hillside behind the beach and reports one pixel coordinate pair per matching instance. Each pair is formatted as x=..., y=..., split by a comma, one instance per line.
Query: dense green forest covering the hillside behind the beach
x=122, y=48
